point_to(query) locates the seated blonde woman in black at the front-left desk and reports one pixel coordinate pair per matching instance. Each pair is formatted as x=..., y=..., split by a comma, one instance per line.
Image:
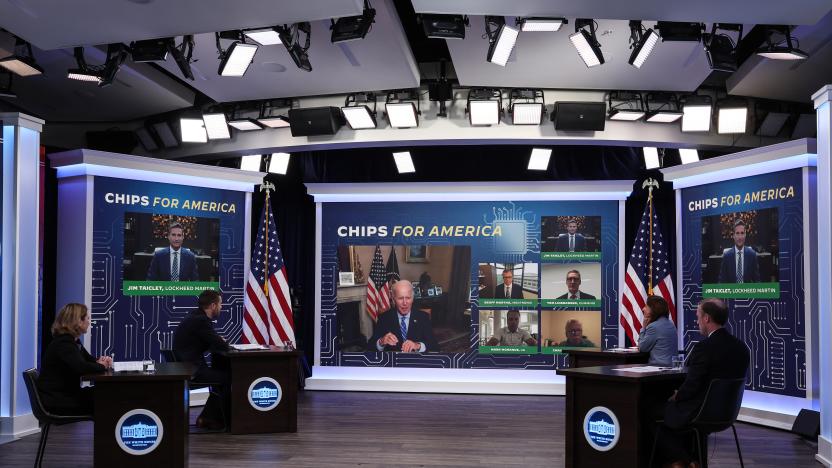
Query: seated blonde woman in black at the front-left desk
x=65, y=361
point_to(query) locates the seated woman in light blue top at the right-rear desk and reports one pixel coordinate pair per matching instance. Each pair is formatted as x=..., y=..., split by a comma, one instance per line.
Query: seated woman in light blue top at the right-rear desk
x=658, y=337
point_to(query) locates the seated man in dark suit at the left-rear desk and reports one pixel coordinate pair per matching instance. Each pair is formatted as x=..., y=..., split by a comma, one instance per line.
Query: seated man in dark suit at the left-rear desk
x=194, y=337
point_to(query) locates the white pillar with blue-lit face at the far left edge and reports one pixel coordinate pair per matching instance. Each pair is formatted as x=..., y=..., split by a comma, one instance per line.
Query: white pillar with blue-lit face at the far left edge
x=19, y=257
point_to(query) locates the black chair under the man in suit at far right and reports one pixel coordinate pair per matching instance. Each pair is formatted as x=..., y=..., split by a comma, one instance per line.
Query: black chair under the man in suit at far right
x=718, y=412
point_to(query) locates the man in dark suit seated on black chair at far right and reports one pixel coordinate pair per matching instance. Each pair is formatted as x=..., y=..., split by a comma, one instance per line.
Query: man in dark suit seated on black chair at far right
x=719, y=356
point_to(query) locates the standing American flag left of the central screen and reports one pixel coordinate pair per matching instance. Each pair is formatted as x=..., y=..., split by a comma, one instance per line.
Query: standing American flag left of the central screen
x=268, y=311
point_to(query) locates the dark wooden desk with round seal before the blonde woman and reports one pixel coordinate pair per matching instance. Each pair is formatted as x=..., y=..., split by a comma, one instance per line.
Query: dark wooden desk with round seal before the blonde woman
x=126, y=402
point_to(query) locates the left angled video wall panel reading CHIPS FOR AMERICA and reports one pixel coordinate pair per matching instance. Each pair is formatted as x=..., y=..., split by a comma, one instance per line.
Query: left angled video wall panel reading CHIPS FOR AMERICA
x=156, y=246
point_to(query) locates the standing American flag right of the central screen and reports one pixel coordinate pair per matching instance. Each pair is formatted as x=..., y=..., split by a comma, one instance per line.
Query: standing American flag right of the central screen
x=637, y=287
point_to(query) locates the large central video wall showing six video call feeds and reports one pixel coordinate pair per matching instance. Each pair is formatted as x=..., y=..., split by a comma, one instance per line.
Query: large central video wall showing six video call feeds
x=466, y=284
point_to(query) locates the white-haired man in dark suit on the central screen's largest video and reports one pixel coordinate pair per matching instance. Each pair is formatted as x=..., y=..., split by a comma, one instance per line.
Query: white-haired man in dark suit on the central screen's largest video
x=405, y=330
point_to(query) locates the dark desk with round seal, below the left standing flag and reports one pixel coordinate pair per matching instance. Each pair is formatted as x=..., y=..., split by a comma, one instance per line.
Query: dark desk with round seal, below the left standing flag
x=265, y=367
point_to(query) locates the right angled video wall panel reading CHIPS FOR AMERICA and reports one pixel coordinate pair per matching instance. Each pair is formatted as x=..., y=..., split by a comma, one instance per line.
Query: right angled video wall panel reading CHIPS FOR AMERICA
x=742, y=241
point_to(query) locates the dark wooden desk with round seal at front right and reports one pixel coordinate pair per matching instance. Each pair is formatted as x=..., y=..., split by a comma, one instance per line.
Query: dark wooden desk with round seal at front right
x=630, y=397
